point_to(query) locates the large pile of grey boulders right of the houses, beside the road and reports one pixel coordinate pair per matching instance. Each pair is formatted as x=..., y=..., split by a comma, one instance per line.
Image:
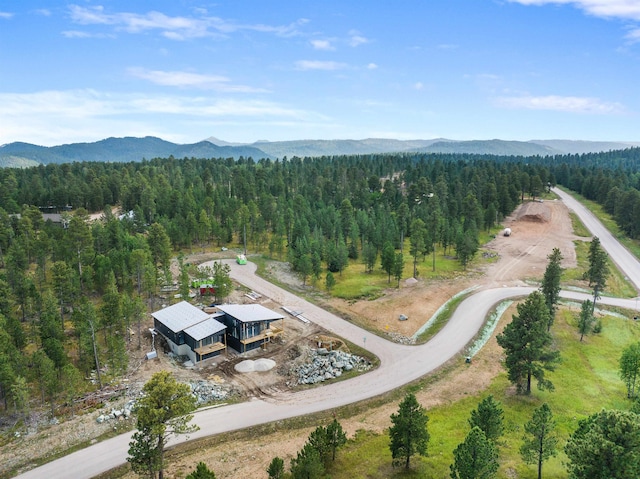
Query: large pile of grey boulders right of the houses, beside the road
x=322, y=365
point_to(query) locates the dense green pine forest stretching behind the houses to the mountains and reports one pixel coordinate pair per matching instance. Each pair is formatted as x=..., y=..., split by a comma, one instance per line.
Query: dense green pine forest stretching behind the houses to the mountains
x=71, y=296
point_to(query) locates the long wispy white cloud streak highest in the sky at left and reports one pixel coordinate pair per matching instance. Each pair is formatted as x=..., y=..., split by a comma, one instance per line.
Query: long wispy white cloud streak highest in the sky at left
x=174, y=27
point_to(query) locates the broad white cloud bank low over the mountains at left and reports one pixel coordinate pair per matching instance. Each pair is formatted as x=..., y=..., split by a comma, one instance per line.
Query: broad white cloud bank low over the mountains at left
x=55, y=117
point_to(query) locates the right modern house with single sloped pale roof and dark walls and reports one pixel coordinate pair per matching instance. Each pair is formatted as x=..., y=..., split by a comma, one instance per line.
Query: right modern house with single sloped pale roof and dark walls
x=250, y=326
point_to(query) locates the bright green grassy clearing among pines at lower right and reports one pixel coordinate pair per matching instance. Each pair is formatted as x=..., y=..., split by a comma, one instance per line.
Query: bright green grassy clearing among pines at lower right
x=586, y=381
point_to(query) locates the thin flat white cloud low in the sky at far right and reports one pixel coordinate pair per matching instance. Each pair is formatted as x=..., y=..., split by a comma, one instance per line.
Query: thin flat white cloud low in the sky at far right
x=570, y=104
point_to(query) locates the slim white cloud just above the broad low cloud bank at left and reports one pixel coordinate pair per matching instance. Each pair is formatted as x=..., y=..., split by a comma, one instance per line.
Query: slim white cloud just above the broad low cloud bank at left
x=191, y=80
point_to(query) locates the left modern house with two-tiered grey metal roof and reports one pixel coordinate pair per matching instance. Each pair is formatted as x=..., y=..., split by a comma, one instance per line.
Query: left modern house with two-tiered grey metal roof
x=190, y=331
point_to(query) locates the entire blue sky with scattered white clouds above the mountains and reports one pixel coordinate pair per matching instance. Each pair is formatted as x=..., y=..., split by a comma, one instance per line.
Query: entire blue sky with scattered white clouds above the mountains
x=246, y=70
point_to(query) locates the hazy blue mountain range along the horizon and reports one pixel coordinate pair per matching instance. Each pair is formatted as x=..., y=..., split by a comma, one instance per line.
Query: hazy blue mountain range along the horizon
x=136, y=149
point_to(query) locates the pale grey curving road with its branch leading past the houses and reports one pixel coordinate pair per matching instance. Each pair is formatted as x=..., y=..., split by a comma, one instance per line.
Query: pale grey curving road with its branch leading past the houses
x=399, y=364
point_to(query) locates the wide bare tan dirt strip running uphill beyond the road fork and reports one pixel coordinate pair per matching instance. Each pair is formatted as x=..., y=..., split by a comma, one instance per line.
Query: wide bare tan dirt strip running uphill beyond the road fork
x=536, y=228
